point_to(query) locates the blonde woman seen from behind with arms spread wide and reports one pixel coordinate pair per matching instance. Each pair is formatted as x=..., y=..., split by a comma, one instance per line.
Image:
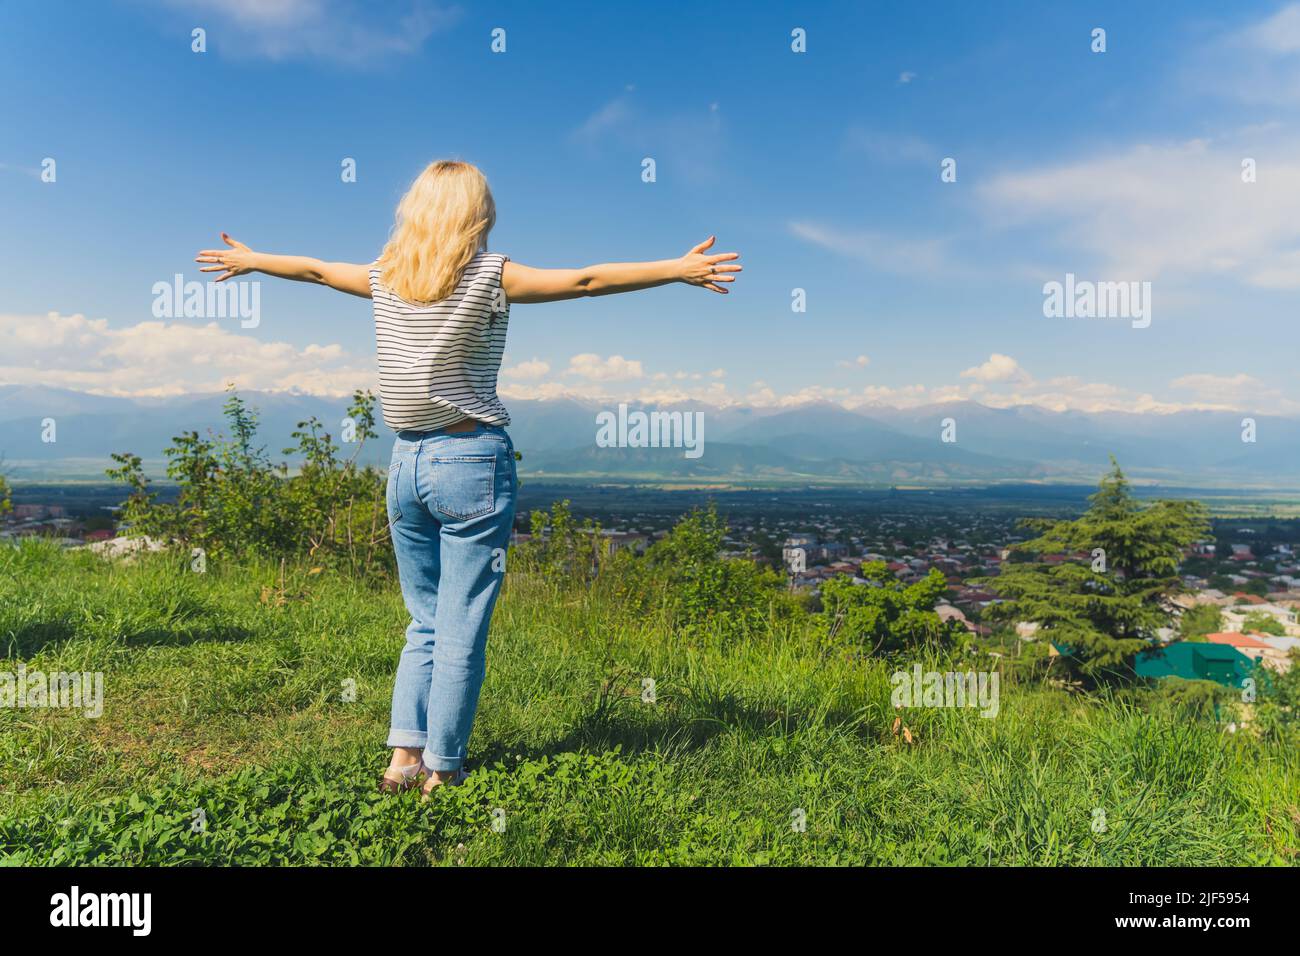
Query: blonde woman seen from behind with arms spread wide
x=441, y=306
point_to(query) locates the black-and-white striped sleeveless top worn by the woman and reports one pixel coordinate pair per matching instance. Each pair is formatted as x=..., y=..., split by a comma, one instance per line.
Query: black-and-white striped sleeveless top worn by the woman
x=439, y=362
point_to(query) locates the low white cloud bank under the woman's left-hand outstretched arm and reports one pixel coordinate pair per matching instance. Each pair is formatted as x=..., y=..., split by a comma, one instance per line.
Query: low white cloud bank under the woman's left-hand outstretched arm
x=159, y=358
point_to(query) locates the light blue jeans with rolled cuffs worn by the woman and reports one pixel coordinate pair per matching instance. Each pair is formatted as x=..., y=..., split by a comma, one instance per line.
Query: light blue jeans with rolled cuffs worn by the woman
x=452, y=509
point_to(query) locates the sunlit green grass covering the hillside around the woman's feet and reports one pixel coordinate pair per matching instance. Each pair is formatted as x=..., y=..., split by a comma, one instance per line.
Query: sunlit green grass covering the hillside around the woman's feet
x=220, y=700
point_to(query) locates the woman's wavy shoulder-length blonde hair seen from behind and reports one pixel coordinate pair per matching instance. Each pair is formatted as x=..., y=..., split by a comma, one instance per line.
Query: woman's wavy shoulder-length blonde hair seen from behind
x=443, y=223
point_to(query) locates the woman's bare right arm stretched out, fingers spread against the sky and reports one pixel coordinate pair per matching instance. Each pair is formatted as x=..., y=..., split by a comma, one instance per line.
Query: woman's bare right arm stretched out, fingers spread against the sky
x=697, y=267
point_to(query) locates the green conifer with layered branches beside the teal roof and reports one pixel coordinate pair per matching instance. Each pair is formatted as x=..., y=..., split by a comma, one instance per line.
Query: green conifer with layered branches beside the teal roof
x=1107, y=602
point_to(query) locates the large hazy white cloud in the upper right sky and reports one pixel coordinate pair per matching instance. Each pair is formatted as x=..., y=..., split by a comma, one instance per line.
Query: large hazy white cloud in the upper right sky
x=1181, y=209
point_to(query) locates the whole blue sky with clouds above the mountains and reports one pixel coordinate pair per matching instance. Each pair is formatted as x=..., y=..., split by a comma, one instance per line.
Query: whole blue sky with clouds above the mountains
x=821, y=168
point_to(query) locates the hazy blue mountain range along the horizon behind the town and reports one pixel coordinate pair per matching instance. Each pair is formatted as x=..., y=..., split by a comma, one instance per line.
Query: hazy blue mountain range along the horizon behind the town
x=814, y=443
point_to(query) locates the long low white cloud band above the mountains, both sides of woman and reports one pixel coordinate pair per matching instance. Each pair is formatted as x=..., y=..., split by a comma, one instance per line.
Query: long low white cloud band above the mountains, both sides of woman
x=163, y=360
